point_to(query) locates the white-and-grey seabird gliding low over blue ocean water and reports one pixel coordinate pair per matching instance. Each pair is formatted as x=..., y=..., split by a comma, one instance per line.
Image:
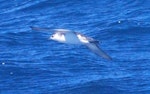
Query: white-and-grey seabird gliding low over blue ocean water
x=72, y=37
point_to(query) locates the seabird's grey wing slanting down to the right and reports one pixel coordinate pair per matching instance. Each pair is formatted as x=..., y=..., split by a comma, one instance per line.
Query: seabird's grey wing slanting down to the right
x=97, y=50
